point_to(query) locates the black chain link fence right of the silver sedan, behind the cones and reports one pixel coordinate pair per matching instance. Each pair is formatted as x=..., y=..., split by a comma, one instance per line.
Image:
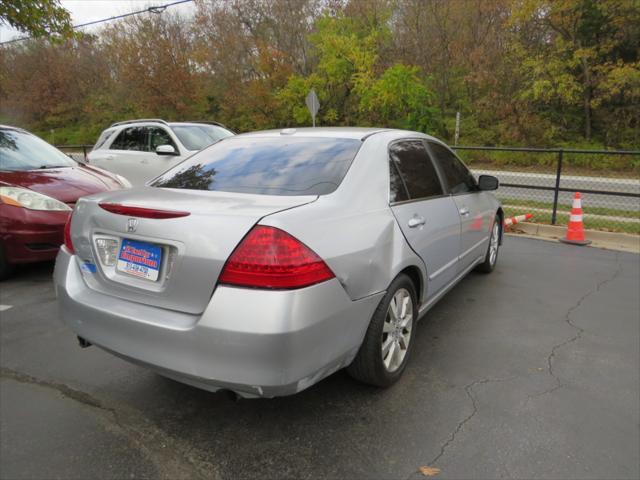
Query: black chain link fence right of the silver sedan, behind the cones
x=543, y=182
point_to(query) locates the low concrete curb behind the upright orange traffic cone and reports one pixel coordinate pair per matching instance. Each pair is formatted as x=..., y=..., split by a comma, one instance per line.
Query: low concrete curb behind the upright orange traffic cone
x=610, y=240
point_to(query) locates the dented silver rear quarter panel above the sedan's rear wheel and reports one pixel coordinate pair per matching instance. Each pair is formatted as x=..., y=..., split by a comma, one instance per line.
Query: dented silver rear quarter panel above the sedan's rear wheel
x=353, y=229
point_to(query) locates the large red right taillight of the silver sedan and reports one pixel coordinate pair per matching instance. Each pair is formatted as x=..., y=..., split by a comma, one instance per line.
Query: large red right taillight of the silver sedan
x=271, y=258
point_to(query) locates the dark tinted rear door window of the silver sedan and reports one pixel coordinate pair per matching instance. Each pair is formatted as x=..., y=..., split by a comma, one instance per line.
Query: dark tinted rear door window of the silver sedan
x=415, y=167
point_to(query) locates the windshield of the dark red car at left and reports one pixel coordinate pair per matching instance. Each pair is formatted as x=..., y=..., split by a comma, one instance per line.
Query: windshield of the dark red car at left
x=23, y=151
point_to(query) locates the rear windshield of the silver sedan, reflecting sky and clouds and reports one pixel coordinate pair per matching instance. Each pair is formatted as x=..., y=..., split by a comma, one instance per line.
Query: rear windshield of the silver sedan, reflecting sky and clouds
x=268, y=166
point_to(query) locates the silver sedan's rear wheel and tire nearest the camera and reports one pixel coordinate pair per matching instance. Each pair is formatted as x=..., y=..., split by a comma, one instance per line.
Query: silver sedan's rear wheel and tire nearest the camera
x=391, y=332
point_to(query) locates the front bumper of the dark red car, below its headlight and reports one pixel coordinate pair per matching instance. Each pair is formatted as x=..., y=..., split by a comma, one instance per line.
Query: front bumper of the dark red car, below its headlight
x=31, y=235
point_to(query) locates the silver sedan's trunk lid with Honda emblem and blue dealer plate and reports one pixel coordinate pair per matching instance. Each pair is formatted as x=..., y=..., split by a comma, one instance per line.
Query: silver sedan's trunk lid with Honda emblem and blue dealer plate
x=172, y=263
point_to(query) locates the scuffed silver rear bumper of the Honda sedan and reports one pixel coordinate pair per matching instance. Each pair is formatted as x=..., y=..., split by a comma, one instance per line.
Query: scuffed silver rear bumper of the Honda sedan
x=254, y=342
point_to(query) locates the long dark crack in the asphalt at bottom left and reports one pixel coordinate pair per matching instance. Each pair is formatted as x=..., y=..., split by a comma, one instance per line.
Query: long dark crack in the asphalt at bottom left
x=173, y=458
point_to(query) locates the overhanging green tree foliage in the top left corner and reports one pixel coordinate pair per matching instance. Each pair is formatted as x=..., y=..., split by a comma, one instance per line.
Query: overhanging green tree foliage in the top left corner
x=37, y=17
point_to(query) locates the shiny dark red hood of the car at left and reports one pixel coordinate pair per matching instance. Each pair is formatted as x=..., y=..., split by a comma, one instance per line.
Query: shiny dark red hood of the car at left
x=64, y=184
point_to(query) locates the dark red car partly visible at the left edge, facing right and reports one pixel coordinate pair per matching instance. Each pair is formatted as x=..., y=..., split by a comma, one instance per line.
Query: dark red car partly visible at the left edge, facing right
x=39, y=186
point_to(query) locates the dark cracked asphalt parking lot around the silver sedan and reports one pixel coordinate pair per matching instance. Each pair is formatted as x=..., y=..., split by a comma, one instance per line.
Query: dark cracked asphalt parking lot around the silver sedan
x=530, y=372
